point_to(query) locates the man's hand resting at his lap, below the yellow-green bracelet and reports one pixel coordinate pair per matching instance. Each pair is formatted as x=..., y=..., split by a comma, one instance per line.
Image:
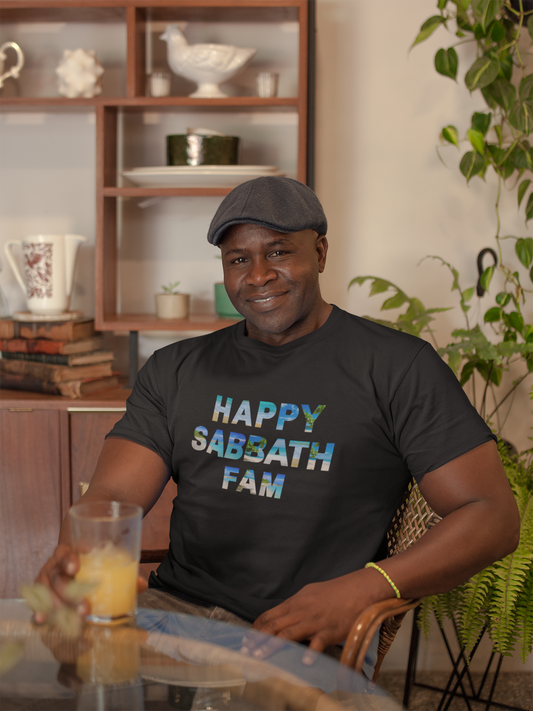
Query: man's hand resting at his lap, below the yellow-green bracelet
x=321, y=613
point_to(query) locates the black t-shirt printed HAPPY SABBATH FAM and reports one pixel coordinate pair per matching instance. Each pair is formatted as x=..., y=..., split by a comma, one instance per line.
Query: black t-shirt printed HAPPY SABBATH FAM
x=291, y=460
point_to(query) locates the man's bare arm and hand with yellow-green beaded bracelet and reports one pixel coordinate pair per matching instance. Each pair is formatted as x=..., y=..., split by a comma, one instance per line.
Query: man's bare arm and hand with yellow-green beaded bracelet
x=480, y=525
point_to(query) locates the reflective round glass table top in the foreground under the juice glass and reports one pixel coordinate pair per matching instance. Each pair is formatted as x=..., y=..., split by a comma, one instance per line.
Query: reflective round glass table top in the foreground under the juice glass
x=167, y=661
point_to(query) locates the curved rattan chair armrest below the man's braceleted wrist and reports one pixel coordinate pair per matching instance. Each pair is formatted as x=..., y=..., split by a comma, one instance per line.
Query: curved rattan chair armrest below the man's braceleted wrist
x=364, y=629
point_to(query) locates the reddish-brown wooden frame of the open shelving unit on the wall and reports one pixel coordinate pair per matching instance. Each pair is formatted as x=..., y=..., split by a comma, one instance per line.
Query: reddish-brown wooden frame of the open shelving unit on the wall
x=110, y=190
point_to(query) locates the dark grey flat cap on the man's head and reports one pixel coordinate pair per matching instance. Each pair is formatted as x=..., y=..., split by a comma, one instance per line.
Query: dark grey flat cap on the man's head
x=281, y=204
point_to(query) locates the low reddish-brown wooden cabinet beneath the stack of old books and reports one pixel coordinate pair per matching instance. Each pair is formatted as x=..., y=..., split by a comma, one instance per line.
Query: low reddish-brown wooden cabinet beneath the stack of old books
x=48, y=445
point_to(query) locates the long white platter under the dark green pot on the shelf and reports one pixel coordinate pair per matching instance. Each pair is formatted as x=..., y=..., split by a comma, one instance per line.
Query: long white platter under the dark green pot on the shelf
x=187, y=179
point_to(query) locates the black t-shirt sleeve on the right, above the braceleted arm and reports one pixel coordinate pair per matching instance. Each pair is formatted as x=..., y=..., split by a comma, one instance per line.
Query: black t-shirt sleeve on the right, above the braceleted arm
x=434, y=421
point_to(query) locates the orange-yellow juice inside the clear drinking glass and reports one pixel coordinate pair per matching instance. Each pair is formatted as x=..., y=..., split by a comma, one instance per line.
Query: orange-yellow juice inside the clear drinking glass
x=115, y=573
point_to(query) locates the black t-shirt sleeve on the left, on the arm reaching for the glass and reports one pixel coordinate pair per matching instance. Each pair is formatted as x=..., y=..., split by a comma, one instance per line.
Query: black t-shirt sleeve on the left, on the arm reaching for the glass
x=145, y=420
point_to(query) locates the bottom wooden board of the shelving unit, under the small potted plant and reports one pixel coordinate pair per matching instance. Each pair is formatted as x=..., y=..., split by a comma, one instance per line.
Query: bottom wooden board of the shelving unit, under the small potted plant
x=149, y=322
